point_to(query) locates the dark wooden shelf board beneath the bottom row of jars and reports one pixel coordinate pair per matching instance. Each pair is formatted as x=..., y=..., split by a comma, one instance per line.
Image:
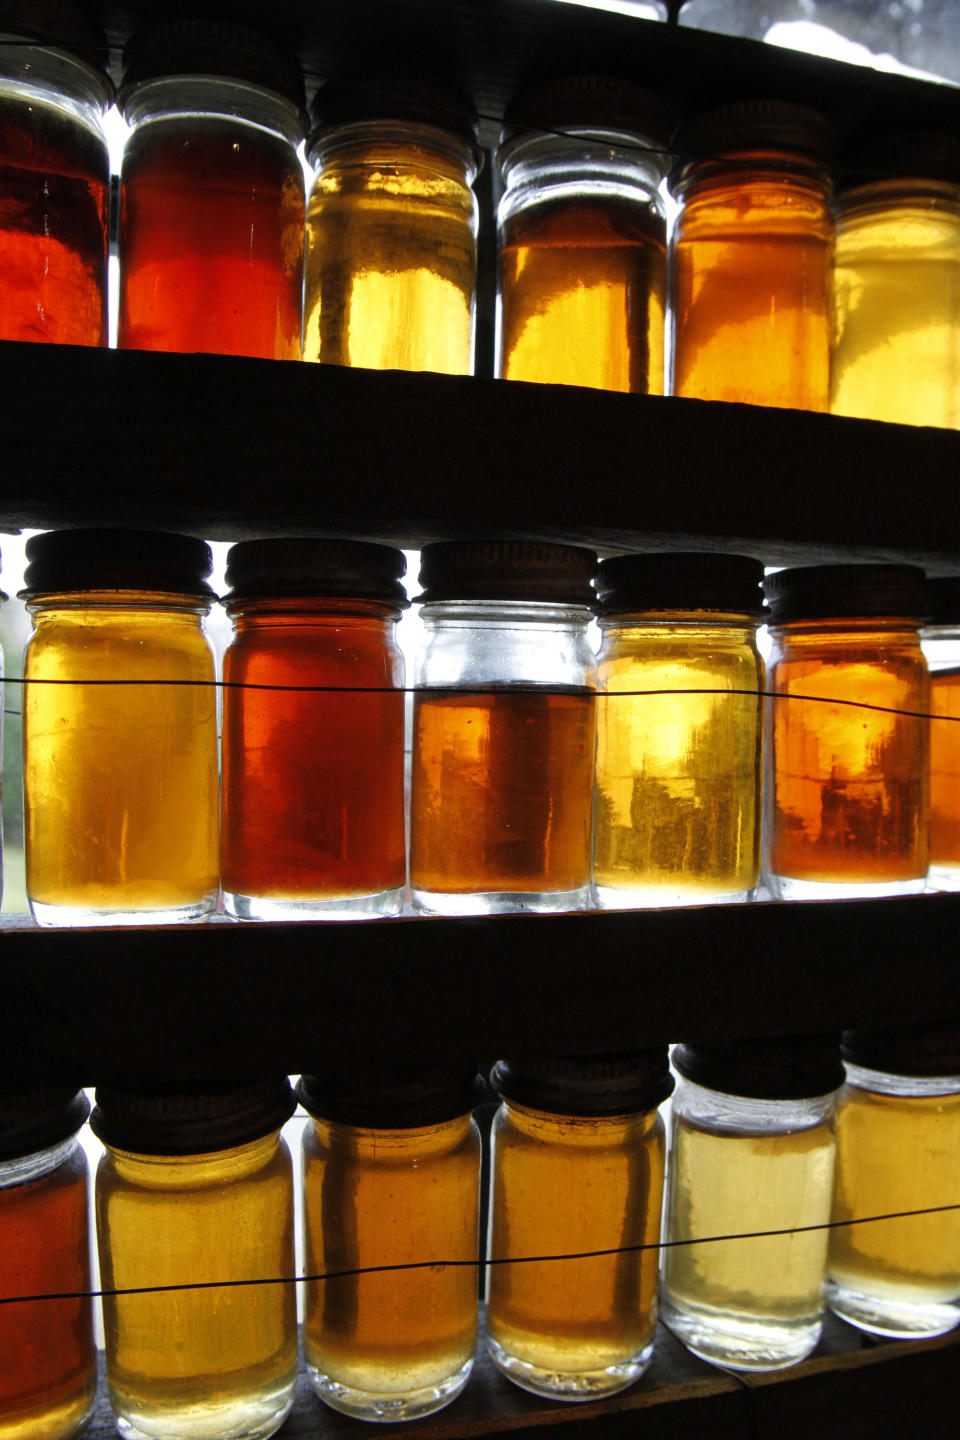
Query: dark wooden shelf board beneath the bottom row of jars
x=851, y=1387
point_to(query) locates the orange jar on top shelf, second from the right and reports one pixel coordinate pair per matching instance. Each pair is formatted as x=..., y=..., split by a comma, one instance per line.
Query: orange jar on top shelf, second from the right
x=752, y=257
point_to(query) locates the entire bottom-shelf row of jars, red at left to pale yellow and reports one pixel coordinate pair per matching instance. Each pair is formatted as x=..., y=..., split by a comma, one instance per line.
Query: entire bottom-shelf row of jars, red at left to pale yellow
x=781, y=1193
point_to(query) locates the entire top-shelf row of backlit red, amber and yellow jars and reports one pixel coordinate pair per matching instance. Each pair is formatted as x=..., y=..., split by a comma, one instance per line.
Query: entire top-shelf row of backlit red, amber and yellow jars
x=221, y=253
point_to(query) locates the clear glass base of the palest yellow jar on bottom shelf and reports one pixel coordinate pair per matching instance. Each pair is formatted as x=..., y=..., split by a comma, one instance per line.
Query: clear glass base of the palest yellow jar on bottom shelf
x=739, y=1341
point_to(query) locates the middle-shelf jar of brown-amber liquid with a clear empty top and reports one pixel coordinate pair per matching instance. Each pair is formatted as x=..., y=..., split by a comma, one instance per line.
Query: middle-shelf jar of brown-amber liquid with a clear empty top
x=503, y=729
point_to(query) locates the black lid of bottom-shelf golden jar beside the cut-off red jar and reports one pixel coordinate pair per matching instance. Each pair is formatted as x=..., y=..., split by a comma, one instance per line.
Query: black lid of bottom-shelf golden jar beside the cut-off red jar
x=196, y=1121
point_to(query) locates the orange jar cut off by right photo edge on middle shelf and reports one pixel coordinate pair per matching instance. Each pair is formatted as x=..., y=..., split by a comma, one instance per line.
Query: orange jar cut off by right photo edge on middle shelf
x=941, y=640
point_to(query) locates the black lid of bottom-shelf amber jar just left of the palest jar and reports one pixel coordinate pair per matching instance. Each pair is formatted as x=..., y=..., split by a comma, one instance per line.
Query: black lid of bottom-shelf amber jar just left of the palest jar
x=587, y=1086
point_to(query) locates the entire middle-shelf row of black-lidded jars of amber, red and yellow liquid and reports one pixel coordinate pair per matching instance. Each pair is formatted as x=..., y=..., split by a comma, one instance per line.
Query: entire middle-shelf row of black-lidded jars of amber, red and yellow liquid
x=543, y=778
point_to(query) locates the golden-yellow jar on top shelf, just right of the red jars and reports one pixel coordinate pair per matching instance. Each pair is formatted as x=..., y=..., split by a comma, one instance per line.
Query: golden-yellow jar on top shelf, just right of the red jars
x=392, y=228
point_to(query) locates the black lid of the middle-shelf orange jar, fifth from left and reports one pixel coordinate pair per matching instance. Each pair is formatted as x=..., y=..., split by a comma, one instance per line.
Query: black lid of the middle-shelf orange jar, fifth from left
x=817, y=593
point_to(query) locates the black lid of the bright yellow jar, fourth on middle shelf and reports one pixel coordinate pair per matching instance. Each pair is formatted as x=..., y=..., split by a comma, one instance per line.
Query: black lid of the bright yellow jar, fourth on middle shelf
x=681, y=581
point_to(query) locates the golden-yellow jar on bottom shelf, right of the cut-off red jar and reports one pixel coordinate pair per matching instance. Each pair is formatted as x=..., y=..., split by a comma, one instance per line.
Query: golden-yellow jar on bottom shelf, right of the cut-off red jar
x=195, y=1196
